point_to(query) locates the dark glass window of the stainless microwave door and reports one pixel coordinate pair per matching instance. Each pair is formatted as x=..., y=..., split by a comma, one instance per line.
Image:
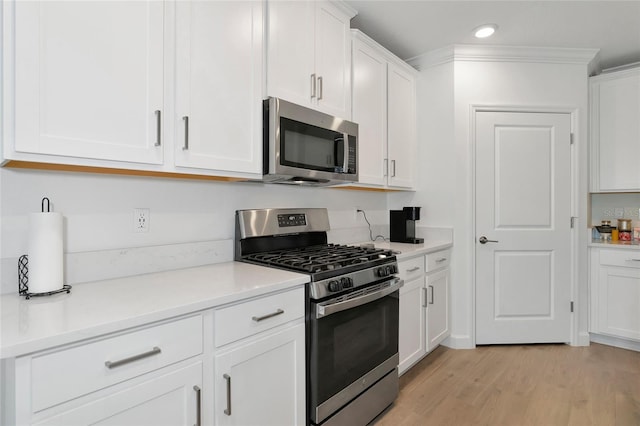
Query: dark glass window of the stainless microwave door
x=309, y=147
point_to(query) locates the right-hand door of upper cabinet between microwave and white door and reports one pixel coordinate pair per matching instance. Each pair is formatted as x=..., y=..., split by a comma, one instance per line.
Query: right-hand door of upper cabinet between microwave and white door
x=402, y=127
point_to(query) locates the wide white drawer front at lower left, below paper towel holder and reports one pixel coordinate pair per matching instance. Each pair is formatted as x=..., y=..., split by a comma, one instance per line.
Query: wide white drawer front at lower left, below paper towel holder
x=69, y=373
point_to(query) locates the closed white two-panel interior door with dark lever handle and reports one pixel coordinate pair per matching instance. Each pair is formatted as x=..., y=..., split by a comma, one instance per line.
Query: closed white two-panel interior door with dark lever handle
x=523, y=207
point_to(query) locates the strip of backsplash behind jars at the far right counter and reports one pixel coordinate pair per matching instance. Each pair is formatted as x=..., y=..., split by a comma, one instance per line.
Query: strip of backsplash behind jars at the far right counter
x=615, y=206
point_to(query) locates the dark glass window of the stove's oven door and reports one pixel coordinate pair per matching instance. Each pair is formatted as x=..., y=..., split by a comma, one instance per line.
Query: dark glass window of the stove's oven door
x=348, y=344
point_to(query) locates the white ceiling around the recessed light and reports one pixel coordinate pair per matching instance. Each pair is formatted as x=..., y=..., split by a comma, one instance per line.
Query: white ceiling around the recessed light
x=411, y=28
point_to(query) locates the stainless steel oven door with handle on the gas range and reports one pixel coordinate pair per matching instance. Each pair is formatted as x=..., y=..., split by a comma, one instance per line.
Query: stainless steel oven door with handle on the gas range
x=353, y=342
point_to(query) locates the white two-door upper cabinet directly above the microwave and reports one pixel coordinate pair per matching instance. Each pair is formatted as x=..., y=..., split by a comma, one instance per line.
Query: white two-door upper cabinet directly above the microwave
x=309, y=55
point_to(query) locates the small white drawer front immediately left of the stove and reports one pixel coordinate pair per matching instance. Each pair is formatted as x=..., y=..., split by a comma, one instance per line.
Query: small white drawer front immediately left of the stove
x=239, y=321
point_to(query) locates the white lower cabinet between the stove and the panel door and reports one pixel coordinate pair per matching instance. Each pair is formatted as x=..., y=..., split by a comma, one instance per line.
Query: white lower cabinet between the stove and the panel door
x=424, y=306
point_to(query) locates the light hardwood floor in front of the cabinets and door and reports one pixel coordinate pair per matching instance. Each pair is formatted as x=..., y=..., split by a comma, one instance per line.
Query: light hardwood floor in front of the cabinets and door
x=520, y=385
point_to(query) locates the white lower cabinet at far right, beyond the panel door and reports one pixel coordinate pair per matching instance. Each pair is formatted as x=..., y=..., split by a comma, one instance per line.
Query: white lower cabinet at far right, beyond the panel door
x=615, y=293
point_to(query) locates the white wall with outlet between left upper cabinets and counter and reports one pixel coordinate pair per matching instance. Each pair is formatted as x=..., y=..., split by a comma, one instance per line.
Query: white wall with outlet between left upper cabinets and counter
x=98, y=211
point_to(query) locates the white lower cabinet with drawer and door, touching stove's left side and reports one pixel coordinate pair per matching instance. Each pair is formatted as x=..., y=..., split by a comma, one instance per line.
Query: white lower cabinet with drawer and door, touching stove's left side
x=260, y=376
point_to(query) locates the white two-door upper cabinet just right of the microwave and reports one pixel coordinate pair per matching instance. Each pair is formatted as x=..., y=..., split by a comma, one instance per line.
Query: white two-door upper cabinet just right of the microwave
x=384, y=102
